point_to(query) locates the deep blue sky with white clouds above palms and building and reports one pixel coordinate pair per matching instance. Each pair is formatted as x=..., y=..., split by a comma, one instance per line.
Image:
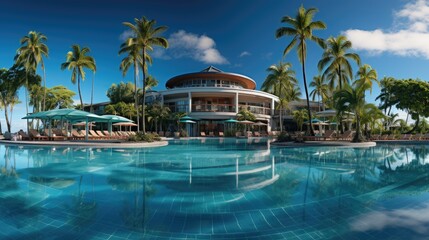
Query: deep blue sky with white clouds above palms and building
x=235, y=36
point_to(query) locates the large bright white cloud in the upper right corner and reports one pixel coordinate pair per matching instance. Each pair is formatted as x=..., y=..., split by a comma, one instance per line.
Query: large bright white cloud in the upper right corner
x=411, y=39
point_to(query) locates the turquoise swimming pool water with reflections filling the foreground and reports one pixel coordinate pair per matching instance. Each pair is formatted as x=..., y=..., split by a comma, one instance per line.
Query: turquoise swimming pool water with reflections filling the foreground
x=214, y=188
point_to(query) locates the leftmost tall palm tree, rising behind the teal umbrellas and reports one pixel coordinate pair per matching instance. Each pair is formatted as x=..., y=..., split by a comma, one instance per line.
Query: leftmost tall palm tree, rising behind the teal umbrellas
x=30, y=54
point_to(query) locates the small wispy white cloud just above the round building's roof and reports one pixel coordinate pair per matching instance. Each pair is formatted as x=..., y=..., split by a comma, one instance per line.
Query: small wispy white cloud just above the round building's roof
x=189, y=45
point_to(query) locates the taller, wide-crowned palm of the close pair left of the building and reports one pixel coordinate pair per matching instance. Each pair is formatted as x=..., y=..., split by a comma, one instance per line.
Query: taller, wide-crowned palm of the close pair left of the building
x=145, y=36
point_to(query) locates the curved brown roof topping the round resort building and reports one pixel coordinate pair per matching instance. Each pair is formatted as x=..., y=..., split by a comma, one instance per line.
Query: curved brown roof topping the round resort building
x=213, y=73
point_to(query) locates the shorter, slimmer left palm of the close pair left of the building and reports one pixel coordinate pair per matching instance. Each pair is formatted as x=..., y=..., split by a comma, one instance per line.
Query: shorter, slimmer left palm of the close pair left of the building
x=133, y=58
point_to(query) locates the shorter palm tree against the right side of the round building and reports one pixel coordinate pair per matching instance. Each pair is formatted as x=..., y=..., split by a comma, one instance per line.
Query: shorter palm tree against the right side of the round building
x=280, y=81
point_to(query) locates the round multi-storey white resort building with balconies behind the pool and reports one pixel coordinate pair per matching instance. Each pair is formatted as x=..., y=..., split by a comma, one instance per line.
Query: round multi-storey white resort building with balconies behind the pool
x=213, y=96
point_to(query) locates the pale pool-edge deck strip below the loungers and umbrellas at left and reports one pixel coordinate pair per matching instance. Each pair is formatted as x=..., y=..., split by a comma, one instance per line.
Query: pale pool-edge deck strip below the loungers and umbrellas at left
x=89, y=143
